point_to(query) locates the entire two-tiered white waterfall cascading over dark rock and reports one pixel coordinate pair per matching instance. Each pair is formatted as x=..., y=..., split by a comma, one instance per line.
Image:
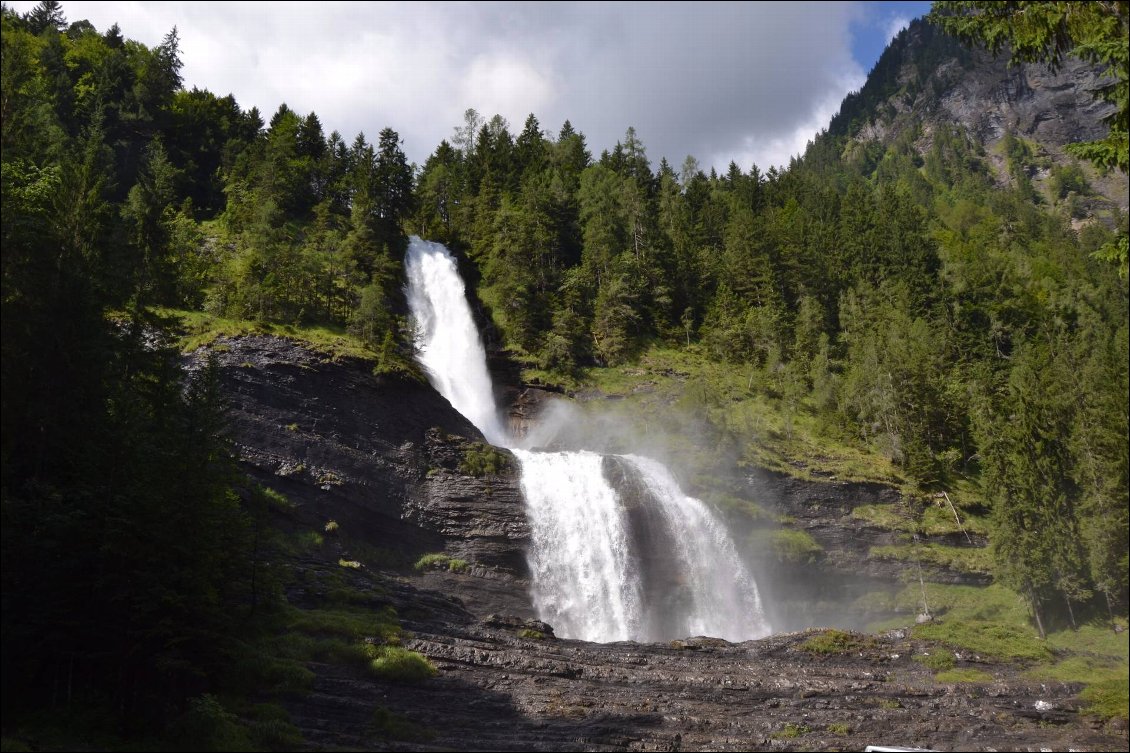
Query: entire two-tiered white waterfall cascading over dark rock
x=604, y=568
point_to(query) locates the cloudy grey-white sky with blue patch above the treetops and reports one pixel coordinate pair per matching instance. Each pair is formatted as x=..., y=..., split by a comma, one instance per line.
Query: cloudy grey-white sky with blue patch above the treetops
x=752, y=83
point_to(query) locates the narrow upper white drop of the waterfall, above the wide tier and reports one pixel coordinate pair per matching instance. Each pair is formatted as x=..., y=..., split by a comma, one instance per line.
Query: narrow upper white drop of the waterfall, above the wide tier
x=448, y=341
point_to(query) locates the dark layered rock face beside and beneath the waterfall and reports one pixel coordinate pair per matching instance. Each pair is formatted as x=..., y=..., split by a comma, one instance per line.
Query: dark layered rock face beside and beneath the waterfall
x=389, y=463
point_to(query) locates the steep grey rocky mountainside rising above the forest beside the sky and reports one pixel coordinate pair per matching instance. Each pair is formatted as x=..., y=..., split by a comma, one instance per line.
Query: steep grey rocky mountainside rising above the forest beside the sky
x=926, y=82
